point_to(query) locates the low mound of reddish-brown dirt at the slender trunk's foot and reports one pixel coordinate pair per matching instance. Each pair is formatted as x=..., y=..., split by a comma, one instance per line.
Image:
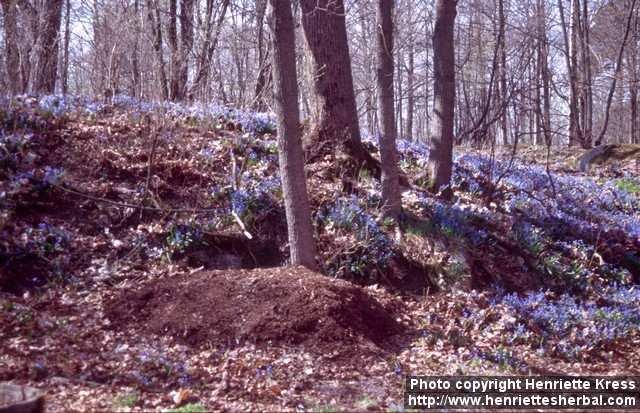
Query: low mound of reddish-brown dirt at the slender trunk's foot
x=288, y=305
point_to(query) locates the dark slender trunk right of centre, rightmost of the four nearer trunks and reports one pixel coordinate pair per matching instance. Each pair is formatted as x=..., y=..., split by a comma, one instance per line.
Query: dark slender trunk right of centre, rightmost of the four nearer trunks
x=441, y=154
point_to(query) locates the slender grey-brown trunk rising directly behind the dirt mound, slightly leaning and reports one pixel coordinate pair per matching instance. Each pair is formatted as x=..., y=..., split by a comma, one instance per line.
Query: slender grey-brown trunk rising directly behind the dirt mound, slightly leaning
x=301, y=242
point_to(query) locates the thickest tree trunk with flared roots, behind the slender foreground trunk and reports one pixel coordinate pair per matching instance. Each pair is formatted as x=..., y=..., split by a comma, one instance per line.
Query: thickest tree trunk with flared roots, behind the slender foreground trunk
x=326, y=35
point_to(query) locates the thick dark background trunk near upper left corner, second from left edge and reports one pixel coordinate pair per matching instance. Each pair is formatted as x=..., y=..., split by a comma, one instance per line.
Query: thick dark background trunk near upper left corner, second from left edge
x=44, y=61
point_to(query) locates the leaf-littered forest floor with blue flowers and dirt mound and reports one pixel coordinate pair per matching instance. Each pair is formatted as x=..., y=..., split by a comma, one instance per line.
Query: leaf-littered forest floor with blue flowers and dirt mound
x=143, y=252
